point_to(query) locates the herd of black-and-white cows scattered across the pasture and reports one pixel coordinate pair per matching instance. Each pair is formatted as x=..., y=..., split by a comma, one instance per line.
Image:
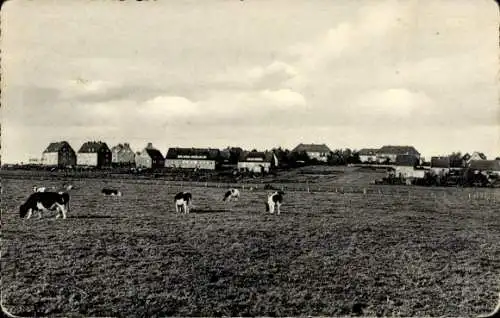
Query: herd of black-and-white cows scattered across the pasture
x=45, y=199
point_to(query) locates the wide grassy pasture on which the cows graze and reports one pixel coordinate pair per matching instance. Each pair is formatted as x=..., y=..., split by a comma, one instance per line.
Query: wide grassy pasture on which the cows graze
x=403, y=251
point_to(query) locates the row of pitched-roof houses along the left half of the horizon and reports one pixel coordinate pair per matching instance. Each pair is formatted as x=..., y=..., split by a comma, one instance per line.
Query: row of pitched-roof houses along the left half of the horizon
x=98, y=154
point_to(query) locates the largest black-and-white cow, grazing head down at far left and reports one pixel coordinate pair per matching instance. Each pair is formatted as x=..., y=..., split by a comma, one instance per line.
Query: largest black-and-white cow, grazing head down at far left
x=45, y=201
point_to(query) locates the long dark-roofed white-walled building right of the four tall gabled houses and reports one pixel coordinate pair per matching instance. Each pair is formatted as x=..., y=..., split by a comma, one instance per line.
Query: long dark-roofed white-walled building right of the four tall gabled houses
x=193, y=158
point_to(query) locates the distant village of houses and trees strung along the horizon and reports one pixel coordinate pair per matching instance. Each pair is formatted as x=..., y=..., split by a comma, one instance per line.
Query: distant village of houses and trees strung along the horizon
x=403, y=164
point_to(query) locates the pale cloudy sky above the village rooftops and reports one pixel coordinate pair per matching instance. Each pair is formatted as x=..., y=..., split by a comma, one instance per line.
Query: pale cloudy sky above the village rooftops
x=253, y=73
